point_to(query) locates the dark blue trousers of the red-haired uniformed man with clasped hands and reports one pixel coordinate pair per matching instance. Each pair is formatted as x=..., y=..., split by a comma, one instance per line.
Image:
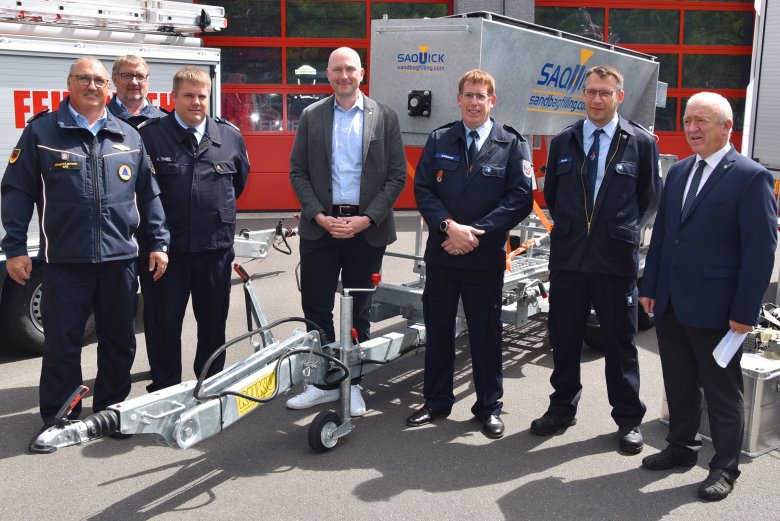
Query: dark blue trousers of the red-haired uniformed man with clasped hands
x=480, y=292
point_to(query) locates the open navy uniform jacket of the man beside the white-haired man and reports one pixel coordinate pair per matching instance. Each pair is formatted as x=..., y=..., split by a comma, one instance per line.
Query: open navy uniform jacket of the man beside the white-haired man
x=627, y=198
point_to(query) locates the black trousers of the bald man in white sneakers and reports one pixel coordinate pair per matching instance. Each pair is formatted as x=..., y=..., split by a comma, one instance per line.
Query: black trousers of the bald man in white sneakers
x=322, y=261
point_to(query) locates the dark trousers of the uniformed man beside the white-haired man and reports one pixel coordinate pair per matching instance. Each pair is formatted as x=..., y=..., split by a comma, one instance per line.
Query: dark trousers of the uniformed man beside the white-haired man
x=615, y=301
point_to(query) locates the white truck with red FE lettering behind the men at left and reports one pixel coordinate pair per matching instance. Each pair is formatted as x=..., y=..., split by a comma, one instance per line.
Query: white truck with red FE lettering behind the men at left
x=39, y=39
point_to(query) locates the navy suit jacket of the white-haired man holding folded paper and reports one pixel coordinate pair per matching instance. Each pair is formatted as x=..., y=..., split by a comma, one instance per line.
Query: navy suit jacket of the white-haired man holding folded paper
x=715, y=266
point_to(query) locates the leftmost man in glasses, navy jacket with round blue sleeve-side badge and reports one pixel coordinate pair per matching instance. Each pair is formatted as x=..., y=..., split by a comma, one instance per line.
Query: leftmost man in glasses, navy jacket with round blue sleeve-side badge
x=90, y=177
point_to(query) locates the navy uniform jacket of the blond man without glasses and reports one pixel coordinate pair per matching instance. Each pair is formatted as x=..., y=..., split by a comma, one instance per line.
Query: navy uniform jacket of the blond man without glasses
x=199, y=188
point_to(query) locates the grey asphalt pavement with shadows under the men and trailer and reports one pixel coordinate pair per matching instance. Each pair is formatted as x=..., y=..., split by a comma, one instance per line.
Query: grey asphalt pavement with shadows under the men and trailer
x=262, y=467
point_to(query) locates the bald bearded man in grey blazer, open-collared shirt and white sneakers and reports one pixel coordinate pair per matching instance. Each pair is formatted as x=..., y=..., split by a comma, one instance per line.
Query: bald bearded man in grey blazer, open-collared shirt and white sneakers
x=347, y=168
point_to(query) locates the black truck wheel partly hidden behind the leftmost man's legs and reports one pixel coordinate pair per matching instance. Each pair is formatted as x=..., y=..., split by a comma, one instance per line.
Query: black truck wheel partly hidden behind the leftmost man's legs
x=22, y=318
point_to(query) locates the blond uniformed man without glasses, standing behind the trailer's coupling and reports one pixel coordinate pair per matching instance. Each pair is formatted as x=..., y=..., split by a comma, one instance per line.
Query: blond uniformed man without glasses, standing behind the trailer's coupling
x=201, y=165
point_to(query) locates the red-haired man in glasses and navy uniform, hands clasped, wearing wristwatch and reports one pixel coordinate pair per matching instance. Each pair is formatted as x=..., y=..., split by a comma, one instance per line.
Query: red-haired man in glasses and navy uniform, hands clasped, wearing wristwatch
x=472, y=185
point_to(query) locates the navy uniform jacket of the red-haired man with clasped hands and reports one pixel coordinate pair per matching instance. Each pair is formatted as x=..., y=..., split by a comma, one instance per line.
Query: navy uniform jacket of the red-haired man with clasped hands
x=495, y=196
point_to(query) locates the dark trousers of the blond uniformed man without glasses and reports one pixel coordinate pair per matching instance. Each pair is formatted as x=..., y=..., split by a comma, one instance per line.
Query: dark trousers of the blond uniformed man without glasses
x=206, y=277
